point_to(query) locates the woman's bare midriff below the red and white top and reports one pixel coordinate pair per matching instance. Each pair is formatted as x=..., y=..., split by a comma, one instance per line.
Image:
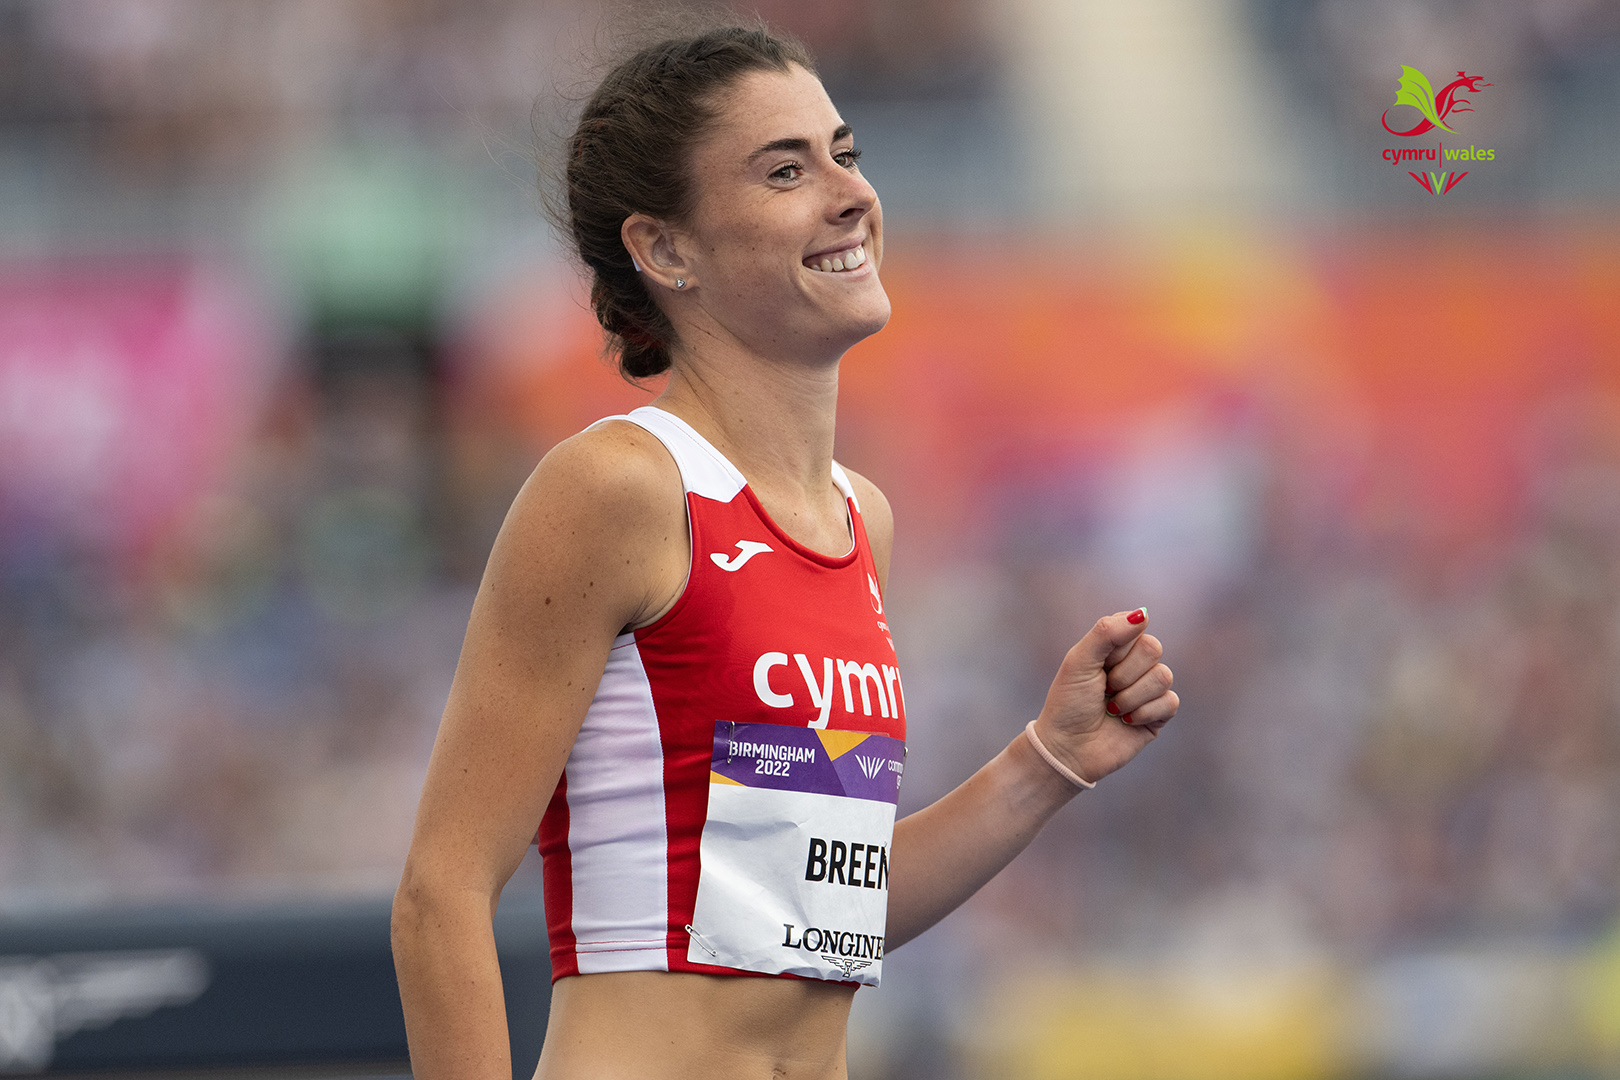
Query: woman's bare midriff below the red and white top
x=675, y=1026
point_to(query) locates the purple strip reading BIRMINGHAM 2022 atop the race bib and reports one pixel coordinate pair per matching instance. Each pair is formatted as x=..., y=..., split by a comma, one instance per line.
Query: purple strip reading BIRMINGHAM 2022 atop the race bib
x=853, y=765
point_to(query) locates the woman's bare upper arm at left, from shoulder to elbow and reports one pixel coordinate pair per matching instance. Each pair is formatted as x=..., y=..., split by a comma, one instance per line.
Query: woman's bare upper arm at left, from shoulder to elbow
x=594, y=543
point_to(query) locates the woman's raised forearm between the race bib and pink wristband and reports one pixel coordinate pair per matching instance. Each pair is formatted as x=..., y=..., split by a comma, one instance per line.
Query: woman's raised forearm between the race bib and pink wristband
x=947, y=853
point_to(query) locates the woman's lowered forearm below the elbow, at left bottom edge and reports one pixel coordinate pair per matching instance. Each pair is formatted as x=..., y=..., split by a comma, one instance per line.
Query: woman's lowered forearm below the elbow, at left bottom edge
x=445, y=953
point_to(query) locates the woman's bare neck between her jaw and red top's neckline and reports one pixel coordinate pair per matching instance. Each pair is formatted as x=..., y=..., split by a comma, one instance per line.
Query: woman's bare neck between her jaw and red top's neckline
x=774, y=420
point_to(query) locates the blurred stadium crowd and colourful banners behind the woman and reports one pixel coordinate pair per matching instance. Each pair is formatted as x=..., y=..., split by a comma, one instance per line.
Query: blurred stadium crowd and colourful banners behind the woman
x=283, y=331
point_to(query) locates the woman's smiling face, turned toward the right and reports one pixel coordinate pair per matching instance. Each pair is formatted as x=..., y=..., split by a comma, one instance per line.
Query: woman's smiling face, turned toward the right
x=787, y=236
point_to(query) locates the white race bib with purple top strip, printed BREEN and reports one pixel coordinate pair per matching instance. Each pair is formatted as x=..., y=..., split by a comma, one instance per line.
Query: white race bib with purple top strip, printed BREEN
x=796, y=853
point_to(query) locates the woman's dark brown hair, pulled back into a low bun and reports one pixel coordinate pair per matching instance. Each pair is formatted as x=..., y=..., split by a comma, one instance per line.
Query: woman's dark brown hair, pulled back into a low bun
x=629, y=156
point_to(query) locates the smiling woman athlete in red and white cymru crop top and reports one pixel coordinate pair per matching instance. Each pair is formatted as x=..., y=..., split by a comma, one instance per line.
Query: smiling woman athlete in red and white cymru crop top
x=678, y=665
